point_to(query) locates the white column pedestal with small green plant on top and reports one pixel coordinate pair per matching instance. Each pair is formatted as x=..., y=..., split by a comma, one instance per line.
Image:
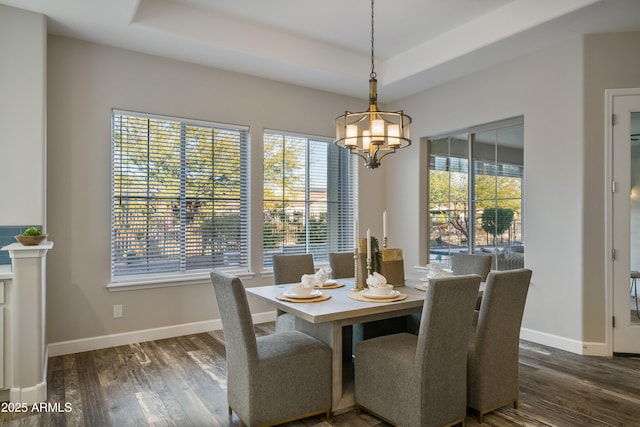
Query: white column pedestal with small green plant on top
x=28, y=317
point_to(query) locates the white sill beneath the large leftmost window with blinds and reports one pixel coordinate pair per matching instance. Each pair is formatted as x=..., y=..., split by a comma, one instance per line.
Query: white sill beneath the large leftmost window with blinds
x=164, y=281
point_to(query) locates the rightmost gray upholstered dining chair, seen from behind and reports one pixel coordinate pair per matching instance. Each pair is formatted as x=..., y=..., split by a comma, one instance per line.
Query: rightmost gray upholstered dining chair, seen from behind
x=492, y=366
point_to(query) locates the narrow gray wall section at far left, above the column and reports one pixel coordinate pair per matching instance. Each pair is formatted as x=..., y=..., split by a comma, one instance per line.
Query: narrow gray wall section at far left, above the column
x=23, y=49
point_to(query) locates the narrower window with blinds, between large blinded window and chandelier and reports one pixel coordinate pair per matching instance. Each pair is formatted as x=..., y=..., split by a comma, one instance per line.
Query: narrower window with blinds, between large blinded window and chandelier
x=309, y=197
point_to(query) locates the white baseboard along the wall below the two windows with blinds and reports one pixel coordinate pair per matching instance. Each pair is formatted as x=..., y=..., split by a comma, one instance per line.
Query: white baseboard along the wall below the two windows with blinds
x=126, y=338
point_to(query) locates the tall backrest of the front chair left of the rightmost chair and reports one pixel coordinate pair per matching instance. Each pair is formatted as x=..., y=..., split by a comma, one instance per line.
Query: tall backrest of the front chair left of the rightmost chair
x=441, y=353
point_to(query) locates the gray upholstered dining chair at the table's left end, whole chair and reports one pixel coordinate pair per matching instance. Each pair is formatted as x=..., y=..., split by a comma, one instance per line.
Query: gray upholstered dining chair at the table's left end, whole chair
x=273, y=378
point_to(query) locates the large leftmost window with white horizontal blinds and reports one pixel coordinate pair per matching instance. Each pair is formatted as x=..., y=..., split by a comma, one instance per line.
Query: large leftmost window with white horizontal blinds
x=179, y=195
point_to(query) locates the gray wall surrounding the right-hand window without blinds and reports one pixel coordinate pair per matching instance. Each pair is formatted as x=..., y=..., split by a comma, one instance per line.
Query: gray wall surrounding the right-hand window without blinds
x=547, y=89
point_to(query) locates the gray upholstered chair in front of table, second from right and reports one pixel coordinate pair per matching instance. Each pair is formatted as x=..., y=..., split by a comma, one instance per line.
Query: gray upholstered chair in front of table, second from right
x=420, y=380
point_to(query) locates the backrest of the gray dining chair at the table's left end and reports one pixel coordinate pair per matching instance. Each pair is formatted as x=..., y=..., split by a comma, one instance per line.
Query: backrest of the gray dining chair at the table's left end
x=237, y=324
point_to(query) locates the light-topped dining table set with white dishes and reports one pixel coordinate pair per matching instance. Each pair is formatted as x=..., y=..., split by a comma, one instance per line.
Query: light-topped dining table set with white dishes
x=325, y=315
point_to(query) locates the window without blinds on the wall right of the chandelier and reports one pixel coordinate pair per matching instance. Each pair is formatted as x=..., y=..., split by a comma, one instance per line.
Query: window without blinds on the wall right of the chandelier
x=478, y=209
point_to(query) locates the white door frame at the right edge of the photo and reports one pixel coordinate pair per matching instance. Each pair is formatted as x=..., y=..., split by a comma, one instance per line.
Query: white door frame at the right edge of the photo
x=610, y=95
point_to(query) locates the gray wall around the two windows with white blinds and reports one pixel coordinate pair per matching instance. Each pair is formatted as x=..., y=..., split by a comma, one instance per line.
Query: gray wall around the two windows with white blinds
x=86, y=81
